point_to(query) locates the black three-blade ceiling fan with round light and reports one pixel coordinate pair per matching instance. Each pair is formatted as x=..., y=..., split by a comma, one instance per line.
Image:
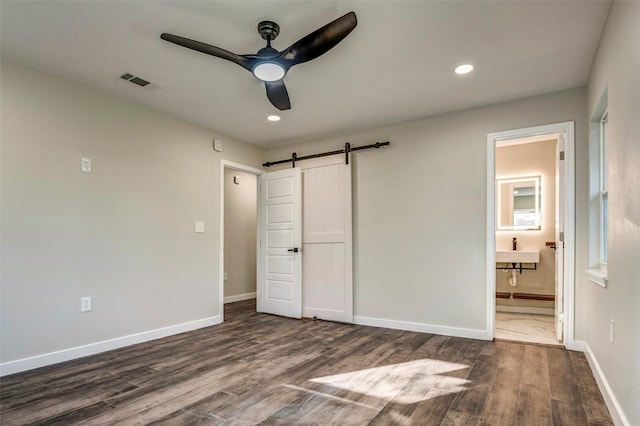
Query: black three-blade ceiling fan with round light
x=271, y=65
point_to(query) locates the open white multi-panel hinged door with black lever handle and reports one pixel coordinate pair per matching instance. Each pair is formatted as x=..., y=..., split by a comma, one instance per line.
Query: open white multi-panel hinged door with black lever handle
x=279, y=286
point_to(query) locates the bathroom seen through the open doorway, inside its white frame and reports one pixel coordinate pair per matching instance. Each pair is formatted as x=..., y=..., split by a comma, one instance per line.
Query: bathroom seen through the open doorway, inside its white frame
x=525, y=222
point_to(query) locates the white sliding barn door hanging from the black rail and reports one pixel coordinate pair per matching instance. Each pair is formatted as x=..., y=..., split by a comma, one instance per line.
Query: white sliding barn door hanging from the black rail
x=327, y=278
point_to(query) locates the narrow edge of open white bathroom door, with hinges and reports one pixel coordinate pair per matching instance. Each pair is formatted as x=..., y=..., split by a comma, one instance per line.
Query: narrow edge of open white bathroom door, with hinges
x=559, y=237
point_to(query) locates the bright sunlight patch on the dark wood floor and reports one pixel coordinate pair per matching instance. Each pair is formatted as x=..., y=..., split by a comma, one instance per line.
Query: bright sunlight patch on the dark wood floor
x=414, y=378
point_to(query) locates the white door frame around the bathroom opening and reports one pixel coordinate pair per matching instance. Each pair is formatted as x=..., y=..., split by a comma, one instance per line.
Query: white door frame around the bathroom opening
x=566, y=128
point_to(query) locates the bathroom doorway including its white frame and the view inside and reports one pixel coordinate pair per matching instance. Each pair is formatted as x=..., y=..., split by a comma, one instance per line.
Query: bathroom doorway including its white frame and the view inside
x=530, y=288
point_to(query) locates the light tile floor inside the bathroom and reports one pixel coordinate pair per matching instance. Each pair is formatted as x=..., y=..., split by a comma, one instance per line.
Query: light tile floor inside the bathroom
x=531, y=328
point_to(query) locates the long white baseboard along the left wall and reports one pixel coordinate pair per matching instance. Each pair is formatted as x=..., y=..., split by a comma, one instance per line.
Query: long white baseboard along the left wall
x=43, y=360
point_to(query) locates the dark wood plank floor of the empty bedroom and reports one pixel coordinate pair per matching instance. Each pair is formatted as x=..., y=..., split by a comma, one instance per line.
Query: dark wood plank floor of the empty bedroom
x=258, y=368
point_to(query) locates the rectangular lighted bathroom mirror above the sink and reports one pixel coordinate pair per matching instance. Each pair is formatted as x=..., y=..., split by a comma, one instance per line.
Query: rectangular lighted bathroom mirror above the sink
x=518, y=204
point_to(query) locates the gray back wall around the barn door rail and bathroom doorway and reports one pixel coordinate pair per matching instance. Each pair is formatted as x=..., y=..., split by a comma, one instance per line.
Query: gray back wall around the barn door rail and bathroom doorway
x=420, y=210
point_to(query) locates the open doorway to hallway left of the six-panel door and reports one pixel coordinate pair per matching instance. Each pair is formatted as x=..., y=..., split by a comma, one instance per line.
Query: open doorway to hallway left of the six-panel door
x=238, y=233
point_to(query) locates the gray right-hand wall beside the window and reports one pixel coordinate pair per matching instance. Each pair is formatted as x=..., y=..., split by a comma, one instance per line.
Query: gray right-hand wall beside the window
x=617, y=69
